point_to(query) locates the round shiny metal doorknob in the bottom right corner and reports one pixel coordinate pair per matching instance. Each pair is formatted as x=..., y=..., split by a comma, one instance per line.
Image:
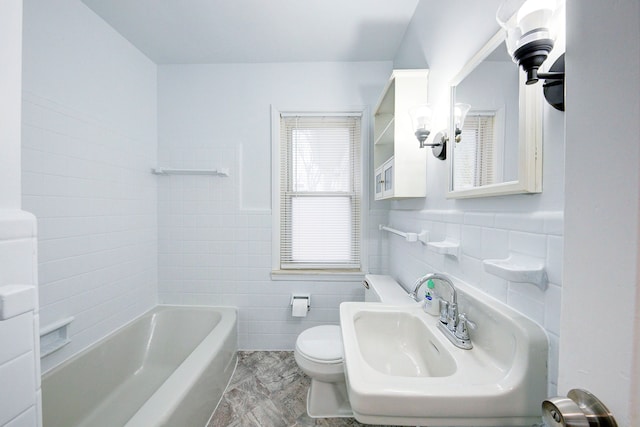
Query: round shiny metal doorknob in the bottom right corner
x=579, y=409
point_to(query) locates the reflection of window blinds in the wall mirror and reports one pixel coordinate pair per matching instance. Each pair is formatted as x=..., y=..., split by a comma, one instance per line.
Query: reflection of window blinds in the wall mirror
x=475, y=155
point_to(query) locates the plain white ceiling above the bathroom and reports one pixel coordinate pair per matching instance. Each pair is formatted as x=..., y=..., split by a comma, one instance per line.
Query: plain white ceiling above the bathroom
x=252, y=31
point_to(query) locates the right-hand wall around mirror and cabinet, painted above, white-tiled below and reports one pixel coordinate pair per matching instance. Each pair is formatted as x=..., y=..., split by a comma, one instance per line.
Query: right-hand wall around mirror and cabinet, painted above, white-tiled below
x=445, y=35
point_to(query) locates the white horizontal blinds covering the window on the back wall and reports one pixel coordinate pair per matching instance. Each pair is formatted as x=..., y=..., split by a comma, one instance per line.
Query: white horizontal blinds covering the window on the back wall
x=320, y=192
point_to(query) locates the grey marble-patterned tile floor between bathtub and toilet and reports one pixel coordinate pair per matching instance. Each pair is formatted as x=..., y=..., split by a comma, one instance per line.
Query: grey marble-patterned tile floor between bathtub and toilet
x=269, y=390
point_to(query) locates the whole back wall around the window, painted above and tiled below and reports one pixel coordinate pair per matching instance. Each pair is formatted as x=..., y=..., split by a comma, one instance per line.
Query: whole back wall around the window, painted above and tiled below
x=214, y=232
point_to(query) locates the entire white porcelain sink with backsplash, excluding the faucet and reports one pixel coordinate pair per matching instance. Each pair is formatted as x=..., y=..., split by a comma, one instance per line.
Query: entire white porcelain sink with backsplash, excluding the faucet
x=401, y=370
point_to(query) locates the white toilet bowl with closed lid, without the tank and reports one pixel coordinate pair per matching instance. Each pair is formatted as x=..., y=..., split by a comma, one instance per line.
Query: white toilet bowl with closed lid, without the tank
x=319, y=354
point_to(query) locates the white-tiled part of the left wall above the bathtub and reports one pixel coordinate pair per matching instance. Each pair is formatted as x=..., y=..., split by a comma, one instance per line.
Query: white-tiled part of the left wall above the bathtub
x=94, y=196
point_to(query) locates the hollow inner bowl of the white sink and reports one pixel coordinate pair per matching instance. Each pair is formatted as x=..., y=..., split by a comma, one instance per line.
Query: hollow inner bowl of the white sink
x=409, y=348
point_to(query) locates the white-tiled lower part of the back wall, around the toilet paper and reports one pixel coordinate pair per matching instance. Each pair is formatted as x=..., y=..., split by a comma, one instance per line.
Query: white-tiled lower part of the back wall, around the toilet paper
x=212, y=252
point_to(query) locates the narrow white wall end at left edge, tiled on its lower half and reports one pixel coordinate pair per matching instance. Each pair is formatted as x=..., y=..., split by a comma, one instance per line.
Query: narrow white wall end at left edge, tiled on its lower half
x=20, y=398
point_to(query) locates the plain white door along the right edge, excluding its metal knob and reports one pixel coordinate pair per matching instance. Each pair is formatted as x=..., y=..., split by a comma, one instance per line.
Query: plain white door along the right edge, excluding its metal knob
x=600, y=334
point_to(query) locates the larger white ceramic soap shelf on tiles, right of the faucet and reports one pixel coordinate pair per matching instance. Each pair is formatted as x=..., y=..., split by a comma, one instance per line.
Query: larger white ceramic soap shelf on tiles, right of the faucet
x=518, y=268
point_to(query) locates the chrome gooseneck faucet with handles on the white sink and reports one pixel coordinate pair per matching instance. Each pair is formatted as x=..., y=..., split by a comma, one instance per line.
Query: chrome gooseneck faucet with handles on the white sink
x=454, y=326
